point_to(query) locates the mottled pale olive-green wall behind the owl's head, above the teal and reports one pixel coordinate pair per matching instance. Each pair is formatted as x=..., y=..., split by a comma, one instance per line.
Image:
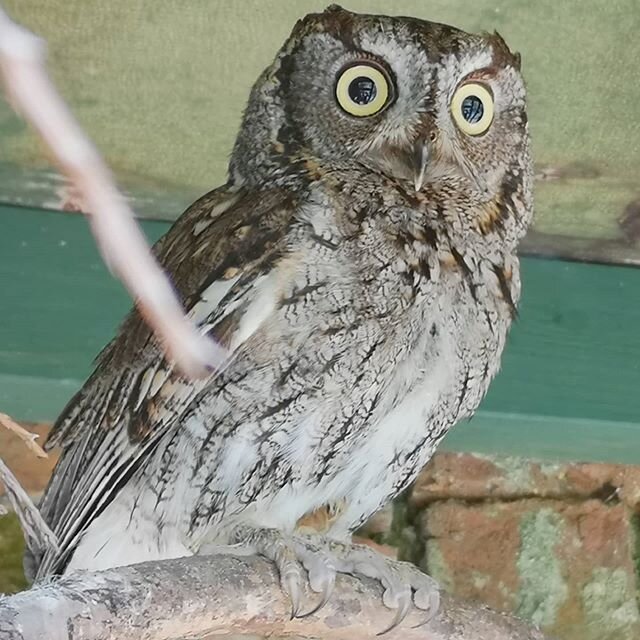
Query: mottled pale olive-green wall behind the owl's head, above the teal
x=160, y=87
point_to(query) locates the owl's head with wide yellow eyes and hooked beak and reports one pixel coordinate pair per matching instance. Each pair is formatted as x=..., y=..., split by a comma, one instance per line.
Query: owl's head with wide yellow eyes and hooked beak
x=416, y=100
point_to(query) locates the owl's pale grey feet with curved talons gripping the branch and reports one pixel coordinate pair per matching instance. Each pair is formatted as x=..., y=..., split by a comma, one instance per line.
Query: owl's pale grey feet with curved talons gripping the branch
x=403, y=583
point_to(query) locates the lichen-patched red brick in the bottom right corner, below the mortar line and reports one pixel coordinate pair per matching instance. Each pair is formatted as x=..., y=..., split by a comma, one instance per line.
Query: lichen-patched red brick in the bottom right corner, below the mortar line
x=551, y=561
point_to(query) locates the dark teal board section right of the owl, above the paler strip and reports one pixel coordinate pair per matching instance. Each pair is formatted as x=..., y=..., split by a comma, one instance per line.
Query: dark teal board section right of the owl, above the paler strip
x=575, y=351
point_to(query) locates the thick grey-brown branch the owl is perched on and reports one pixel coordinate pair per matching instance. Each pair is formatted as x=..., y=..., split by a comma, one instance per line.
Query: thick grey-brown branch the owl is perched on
x=205, y=596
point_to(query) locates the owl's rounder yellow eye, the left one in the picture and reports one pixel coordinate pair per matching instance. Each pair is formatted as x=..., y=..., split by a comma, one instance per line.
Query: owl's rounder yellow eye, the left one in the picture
x=363, y=90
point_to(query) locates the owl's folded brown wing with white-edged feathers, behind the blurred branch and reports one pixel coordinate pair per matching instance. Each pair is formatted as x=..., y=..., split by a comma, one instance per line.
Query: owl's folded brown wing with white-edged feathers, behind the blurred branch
x=215, y=255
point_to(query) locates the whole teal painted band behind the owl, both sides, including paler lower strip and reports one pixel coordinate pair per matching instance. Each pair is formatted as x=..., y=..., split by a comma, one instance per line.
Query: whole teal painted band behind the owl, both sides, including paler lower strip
x=569, y=382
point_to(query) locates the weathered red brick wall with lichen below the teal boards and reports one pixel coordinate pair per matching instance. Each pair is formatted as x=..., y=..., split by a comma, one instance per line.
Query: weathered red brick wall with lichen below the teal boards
x=553, y=543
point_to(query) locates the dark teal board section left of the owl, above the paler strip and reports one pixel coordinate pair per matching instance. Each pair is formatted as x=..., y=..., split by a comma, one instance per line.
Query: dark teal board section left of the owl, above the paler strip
x=60, y=304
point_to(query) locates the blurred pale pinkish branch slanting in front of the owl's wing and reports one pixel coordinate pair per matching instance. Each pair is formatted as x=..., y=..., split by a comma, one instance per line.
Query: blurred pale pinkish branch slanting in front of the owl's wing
x=119, y=238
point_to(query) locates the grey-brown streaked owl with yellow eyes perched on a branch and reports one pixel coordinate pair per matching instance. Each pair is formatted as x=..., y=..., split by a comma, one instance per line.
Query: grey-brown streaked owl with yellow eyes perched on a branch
x=360, y=267
